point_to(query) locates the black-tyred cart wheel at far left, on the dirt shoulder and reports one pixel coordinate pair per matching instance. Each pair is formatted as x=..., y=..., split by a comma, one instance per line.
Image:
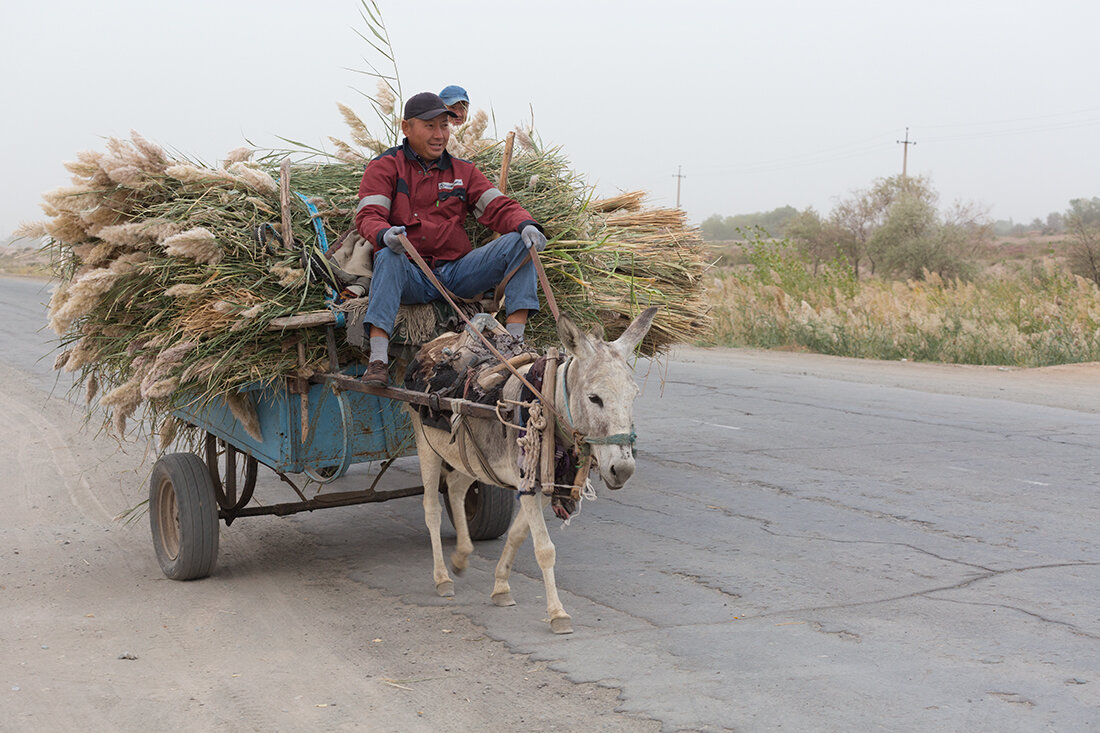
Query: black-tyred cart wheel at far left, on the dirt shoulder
x=183, y=516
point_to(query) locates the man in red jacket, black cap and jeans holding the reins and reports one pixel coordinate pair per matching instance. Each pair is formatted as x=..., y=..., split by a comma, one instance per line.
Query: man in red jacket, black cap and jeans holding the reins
x=421, y=191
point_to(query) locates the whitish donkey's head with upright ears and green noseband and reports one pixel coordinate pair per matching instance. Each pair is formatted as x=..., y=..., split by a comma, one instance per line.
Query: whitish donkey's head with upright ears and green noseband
x=600, y=392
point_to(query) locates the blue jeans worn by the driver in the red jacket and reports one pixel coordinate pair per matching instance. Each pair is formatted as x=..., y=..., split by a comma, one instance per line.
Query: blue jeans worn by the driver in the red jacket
x=398, y=280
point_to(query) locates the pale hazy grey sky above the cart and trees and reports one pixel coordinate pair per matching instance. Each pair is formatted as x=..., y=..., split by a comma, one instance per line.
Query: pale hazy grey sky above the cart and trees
x=763, y=104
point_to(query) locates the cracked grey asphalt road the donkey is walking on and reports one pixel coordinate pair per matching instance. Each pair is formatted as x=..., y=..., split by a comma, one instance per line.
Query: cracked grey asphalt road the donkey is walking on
x=809, y=544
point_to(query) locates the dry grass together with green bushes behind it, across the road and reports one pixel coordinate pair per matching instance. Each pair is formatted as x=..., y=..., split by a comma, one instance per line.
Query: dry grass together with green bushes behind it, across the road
x=888, y=276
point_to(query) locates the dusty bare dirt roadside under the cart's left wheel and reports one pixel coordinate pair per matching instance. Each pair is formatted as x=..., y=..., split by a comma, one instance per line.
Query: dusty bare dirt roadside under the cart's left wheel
x=96, y=639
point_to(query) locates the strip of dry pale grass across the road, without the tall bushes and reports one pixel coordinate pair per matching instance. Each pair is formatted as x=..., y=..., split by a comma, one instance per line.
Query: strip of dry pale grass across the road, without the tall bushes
x=1025, y=310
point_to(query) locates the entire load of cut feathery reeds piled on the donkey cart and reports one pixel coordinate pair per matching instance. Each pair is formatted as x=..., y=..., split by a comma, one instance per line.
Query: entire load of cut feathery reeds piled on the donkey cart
x=167, y=296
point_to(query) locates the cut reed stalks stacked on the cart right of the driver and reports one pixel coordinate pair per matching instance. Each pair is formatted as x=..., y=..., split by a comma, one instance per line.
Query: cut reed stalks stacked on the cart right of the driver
x=608, y=259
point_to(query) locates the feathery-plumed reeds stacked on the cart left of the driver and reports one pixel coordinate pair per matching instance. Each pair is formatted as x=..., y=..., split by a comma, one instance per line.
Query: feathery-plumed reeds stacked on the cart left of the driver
x=164, y=293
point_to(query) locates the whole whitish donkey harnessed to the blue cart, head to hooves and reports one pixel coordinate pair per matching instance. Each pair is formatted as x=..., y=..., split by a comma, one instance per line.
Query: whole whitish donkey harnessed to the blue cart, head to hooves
x=596, y=391
